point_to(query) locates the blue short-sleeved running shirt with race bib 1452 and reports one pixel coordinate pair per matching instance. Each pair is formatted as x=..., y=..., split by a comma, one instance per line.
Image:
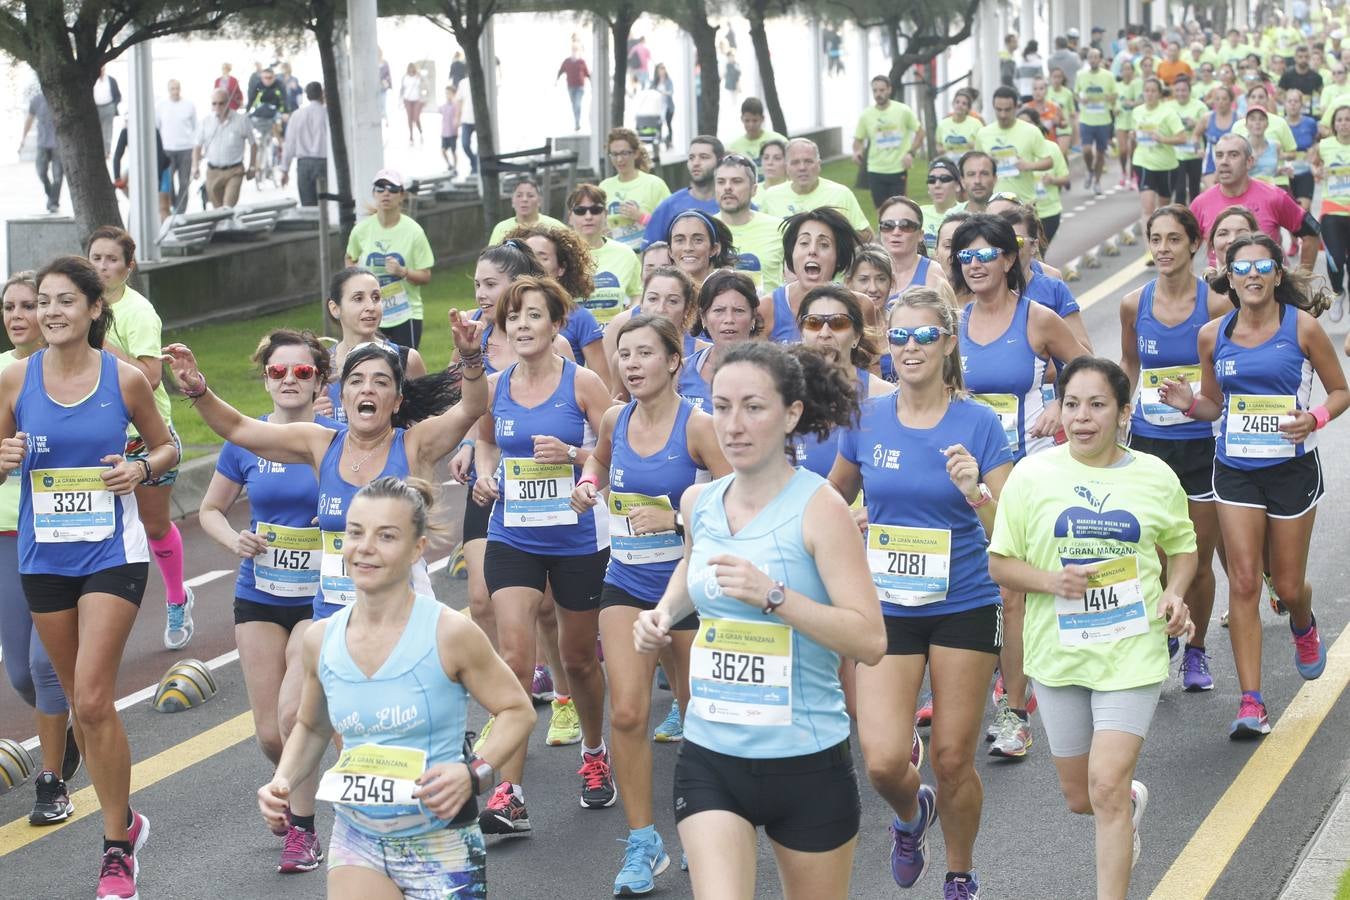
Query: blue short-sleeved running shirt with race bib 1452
x=283, y=499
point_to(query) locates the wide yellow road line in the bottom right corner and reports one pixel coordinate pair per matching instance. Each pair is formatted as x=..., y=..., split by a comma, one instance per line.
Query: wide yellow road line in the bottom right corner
x=1209, y=851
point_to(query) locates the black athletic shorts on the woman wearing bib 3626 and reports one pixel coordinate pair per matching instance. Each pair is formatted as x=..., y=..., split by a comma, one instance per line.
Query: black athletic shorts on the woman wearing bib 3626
x=807, y=804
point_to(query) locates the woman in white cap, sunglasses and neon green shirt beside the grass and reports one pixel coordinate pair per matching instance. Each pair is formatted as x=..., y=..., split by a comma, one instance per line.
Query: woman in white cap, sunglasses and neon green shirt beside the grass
x=396, y=249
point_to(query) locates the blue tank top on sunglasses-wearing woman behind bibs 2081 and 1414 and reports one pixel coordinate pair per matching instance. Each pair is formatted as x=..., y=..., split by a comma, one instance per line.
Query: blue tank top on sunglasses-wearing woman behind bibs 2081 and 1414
x=1008, y=376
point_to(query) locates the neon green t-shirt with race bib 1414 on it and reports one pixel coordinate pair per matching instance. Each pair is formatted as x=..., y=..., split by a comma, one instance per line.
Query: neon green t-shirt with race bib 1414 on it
x=1055, y=511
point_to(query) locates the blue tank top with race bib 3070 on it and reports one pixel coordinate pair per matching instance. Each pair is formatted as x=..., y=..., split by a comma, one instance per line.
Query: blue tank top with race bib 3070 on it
x=541, y=499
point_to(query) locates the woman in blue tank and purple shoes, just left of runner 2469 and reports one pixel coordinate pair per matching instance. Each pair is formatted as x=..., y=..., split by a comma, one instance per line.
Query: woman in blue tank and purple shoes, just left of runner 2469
x=1159, y=329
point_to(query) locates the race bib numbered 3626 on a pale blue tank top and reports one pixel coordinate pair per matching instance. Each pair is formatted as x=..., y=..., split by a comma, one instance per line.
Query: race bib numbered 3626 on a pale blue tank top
x=742, y=673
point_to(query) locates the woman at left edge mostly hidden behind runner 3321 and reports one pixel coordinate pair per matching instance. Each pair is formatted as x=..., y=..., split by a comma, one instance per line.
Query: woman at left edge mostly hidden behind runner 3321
x=26, y=662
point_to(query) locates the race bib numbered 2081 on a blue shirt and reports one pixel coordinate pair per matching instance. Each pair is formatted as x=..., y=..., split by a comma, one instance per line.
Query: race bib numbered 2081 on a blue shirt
x=911, y=566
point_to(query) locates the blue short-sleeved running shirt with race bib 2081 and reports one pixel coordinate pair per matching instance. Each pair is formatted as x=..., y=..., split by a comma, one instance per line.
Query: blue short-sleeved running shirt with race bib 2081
x=938, y=565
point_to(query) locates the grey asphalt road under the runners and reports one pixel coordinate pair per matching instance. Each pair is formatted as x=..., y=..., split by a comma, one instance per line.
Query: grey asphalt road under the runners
x=198, y=771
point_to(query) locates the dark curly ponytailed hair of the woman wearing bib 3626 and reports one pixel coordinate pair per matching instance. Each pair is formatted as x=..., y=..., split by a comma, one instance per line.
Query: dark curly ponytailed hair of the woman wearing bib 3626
x=830, y=397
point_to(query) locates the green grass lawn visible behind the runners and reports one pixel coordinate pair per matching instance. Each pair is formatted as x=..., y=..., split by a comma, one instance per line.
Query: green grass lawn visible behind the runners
x=223, y=350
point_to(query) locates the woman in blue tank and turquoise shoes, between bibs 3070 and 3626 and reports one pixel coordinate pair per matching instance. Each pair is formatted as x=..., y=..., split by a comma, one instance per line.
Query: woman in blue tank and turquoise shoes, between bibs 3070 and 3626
x=649, y=453
